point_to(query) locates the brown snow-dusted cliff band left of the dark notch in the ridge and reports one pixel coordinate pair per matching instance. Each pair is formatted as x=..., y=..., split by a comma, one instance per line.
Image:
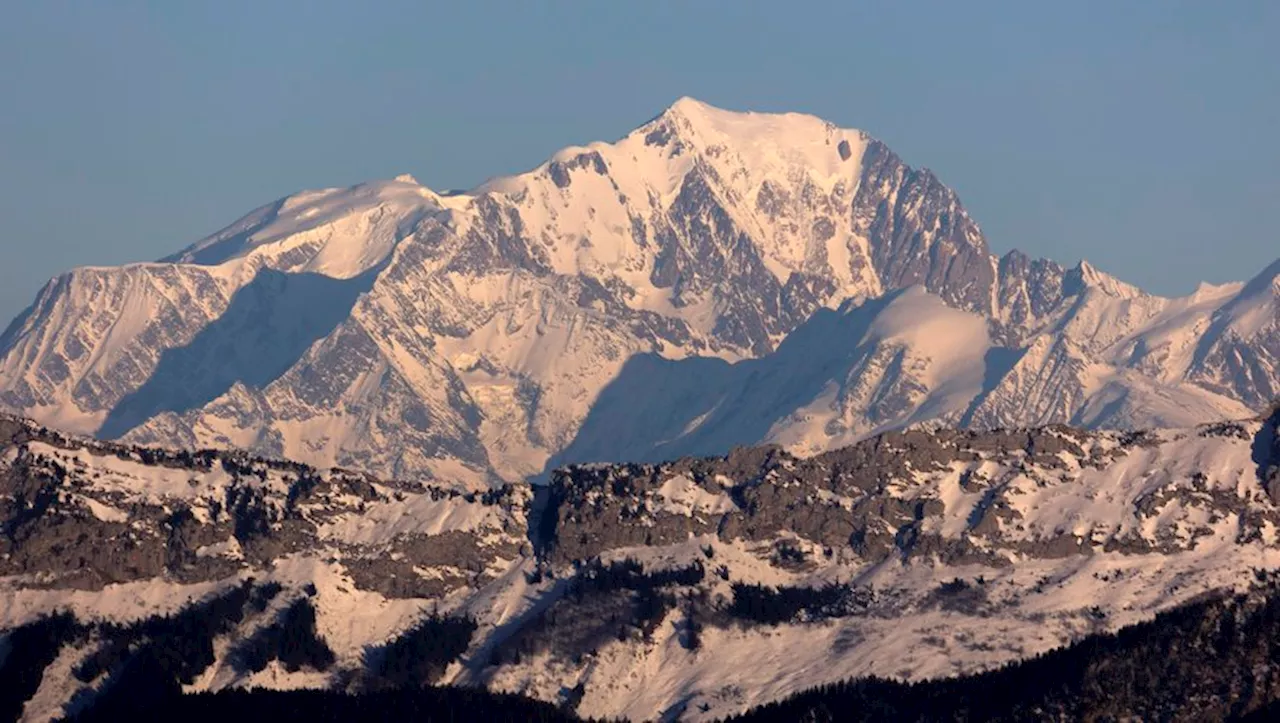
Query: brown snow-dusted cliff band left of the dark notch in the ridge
x=86, y=515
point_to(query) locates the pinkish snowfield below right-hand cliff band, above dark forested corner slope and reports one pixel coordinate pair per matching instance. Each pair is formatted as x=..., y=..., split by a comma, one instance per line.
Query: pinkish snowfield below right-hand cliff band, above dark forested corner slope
x=634, y=681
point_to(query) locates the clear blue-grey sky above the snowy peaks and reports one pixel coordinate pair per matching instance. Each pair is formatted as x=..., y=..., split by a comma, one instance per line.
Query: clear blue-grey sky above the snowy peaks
x=1139, y=135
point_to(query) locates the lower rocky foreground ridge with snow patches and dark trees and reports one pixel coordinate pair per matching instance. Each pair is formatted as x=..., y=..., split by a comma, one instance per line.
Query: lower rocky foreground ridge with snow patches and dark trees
x=697, y=588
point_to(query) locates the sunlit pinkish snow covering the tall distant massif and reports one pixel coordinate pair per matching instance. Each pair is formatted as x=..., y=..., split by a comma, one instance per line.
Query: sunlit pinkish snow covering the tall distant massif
x=534, y=355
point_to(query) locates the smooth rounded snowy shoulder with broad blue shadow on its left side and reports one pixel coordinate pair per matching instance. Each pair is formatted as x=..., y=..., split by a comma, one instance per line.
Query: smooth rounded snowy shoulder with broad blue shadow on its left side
x=842, y=376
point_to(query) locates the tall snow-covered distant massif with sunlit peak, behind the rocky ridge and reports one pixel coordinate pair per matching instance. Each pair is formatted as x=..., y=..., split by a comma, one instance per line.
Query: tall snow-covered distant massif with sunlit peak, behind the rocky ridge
x=742, y=277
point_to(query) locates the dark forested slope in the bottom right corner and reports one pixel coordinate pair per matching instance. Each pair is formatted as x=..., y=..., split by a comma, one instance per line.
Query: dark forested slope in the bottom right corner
x=1208, y=661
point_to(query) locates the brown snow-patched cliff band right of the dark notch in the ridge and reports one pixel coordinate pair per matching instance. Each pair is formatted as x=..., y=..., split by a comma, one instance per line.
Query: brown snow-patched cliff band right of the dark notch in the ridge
x=952, y=497
